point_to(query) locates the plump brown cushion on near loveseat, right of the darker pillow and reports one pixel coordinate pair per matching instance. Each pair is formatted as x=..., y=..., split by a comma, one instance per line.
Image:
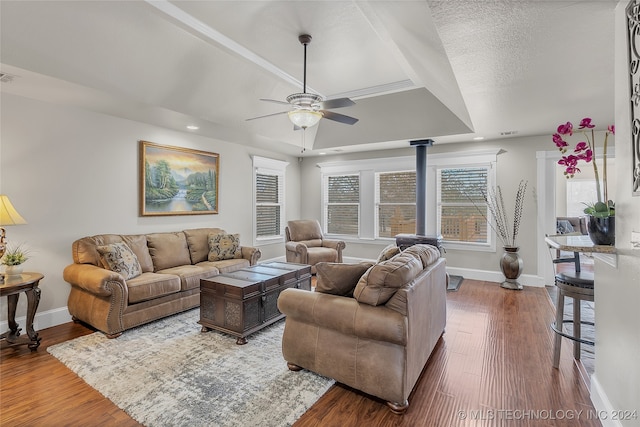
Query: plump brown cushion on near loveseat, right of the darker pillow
x=382, y=280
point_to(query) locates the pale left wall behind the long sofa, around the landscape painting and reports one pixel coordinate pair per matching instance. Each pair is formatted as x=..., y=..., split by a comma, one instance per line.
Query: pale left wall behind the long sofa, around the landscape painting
x=73, y=173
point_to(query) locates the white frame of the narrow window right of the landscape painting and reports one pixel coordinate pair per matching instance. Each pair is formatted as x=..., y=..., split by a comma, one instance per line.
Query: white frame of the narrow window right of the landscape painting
x=266, y=166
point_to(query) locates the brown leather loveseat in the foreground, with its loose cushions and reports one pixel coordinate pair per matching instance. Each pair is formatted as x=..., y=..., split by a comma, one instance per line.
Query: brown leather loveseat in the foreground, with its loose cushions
x=378, y=340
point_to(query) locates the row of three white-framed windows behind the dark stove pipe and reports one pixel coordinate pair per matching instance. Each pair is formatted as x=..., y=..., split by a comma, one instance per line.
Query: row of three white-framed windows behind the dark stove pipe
x=373, y=200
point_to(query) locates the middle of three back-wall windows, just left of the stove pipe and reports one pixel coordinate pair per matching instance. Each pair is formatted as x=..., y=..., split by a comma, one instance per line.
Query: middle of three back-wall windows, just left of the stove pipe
x=395, y=203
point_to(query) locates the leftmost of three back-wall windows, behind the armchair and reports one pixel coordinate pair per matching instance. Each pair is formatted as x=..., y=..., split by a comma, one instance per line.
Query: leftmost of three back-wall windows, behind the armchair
x=342, y=204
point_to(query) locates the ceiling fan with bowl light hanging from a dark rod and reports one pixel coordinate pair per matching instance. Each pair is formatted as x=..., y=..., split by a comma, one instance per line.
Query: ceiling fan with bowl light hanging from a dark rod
x=309, y=108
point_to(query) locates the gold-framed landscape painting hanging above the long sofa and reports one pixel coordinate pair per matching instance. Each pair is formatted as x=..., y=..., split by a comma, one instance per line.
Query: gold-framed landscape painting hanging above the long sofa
x=177, y=181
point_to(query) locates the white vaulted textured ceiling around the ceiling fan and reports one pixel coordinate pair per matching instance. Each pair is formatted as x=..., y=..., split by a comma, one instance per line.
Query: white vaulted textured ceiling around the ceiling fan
x=448, y=70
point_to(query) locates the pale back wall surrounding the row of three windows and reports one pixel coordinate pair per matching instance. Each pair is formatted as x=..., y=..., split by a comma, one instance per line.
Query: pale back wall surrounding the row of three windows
x=516, y=161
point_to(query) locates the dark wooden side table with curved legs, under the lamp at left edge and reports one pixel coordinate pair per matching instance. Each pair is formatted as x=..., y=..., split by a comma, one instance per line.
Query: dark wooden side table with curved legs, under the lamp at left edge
x=11, y=288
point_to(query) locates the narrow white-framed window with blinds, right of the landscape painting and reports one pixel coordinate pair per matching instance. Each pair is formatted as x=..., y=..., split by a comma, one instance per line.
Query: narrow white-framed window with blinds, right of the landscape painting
x=269, y=199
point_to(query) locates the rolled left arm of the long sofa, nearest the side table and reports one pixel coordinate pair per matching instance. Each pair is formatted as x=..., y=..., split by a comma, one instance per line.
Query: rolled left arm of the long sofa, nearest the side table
x=95, y=280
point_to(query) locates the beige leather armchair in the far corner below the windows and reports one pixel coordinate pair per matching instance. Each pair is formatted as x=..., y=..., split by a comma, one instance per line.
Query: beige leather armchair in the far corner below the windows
x=305, y=244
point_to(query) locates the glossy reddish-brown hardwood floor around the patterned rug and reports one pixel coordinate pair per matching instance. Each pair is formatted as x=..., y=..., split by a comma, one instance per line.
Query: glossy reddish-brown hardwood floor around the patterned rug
x=492, y=367
